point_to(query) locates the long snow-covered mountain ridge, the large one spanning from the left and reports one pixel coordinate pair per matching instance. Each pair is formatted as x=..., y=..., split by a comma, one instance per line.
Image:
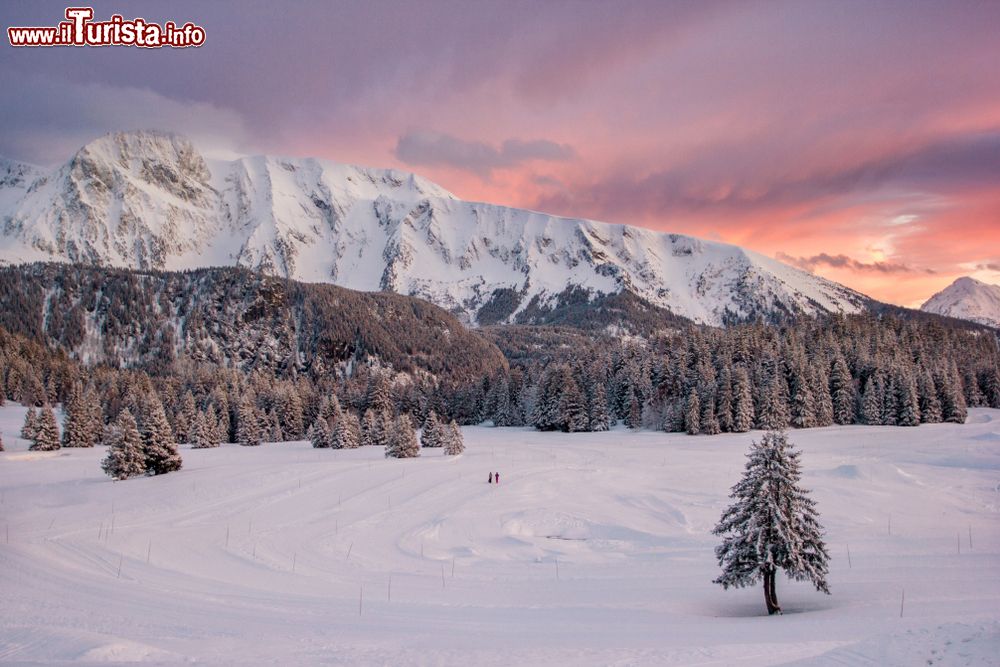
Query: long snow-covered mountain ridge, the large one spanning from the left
x=152, y=200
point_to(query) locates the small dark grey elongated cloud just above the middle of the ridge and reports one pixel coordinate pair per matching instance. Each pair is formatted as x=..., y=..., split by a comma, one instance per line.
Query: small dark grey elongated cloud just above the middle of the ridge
x=432, y=148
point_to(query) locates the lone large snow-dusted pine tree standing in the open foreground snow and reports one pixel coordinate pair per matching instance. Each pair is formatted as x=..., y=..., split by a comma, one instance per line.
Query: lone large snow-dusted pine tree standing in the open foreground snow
x=773, y=525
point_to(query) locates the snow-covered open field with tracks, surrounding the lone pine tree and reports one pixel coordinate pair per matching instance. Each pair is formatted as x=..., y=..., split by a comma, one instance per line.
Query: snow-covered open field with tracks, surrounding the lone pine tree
x=595, y=549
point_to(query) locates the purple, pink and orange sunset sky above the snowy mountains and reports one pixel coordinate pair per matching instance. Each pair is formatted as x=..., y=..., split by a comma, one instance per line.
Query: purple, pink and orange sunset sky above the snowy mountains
x=858, y=140
